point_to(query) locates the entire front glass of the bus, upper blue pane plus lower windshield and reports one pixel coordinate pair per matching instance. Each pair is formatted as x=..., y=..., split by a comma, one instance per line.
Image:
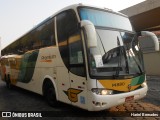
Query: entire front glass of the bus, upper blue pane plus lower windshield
x=117, y=53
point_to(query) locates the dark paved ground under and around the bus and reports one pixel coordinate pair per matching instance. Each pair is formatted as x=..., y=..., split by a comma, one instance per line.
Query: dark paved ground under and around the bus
x=21, y=100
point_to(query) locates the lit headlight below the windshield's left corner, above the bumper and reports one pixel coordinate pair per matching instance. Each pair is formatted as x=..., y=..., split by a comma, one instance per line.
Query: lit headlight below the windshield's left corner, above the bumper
x=99, y=91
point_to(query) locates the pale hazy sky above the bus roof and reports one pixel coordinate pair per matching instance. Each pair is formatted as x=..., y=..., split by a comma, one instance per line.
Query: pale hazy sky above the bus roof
x=19, y=16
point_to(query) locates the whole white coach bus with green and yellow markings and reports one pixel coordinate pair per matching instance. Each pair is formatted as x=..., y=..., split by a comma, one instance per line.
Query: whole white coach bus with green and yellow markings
x=85, y=56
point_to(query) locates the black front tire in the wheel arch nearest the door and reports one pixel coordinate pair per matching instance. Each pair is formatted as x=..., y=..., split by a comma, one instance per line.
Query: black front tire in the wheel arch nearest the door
x=50, y=95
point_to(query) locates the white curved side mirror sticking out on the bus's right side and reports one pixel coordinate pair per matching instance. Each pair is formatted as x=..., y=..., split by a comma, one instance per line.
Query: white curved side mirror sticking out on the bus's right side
x=148, y=42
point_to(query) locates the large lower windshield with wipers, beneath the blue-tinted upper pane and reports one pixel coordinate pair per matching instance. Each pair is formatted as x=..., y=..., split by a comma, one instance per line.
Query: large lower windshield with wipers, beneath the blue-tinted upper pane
x=117, y=53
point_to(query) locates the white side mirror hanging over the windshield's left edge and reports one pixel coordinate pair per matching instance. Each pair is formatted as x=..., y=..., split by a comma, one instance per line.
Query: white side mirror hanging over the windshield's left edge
x=90, y=33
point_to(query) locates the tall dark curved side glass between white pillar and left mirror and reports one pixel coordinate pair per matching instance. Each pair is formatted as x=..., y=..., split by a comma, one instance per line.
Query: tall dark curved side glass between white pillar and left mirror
x=70, y=43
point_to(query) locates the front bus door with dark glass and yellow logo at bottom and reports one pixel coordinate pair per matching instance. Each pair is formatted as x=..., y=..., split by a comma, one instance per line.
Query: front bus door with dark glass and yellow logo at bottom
x=77, y=93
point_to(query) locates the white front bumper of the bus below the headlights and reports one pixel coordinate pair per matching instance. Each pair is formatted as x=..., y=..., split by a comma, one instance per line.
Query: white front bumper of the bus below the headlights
x=102, y=102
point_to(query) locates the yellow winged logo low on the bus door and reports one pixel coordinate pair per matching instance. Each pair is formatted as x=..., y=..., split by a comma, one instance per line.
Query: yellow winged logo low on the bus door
x=72, y=94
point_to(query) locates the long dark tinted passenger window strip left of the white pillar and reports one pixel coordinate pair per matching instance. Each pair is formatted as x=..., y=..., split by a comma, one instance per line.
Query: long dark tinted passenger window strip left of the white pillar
x=43, y=36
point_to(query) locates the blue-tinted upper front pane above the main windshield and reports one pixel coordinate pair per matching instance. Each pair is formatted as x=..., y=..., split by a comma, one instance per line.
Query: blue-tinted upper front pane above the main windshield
x=105, y=19
